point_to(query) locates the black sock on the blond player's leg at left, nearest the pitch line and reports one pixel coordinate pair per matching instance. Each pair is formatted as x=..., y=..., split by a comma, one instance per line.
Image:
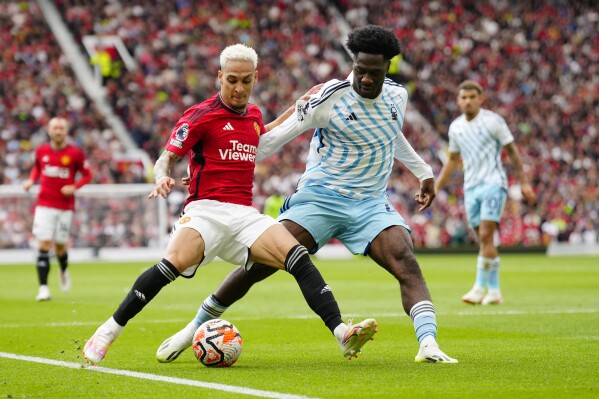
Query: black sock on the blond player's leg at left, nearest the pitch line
x=145, y=288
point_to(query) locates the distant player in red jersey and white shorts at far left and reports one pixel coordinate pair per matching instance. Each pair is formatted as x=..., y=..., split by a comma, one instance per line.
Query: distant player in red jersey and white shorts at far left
x=56, y=165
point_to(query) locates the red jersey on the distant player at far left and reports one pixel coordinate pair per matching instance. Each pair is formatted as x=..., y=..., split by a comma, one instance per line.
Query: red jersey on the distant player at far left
x=57, y=168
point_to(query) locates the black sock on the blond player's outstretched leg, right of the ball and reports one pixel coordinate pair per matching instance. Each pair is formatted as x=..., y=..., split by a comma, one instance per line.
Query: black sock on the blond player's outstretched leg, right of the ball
x=317, y=293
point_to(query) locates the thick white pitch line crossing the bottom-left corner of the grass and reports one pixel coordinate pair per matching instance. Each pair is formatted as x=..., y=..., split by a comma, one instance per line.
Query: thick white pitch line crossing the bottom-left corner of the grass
x=154, y=377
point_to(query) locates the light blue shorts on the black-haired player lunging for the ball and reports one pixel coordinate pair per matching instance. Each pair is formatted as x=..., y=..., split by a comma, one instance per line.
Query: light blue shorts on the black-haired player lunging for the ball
x=326, y=214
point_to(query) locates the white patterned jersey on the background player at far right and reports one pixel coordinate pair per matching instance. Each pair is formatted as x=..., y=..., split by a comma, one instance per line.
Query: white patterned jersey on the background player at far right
x=480, y=142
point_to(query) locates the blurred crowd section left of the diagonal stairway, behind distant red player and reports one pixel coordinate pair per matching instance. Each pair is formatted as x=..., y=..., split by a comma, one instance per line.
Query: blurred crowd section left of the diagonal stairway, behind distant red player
x=36, y=83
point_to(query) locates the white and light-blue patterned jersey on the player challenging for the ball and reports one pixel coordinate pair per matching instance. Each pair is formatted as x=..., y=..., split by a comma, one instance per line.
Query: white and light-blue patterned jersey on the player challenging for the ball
x=355, y=142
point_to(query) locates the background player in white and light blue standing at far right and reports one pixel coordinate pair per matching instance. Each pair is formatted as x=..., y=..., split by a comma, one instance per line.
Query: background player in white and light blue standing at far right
x=479, y=136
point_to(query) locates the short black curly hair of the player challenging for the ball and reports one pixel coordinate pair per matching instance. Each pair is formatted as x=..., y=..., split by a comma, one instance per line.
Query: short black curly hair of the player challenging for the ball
x=373, y=39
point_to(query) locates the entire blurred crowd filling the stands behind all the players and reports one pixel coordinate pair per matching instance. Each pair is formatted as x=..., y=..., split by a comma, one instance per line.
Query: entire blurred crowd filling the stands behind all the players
x=538, y=64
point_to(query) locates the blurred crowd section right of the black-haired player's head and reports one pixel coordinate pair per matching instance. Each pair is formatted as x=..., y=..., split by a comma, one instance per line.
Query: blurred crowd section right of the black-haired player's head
x=538, y=62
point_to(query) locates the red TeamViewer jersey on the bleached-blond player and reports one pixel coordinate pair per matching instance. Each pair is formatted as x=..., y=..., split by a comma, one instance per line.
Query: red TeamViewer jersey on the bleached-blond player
x=222, y=145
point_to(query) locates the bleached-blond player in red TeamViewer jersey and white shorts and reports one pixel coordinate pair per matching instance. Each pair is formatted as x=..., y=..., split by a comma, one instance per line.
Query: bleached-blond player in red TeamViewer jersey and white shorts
x=221, y=136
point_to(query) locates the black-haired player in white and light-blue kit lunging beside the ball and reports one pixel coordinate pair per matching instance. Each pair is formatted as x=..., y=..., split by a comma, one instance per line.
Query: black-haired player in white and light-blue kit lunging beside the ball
x=342, y=193
